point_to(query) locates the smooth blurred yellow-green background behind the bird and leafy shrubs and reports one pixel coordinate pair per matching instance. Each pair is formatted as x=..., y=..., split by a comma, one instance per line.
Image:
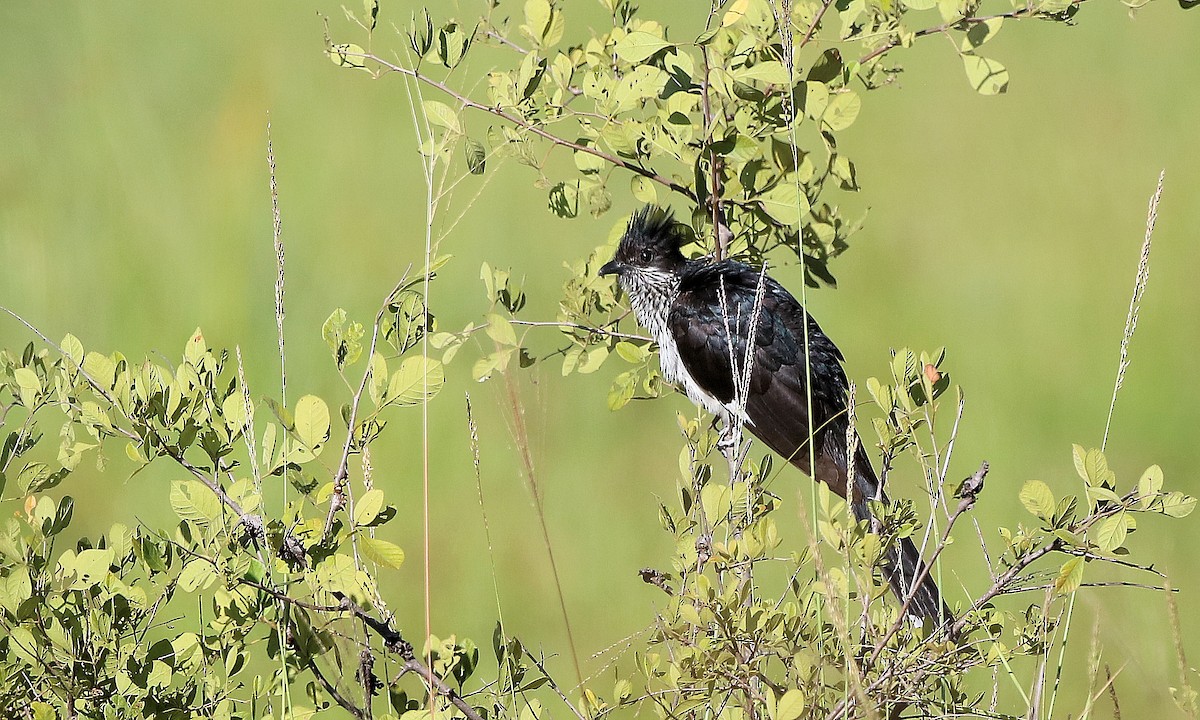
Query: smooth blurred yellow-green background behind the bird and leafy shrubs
x=135, y=207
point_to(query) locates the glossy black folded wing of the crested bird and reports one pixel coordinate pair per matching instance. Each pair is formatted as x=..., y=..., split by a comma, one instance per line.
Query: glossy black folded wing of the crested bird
x=777, y=405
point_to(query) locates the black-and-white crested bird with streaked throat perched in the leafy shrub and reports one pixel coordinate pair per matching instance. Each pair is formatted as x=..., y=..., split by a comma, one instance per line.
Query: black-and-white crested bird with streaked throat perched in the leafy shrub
x=701, y=314
